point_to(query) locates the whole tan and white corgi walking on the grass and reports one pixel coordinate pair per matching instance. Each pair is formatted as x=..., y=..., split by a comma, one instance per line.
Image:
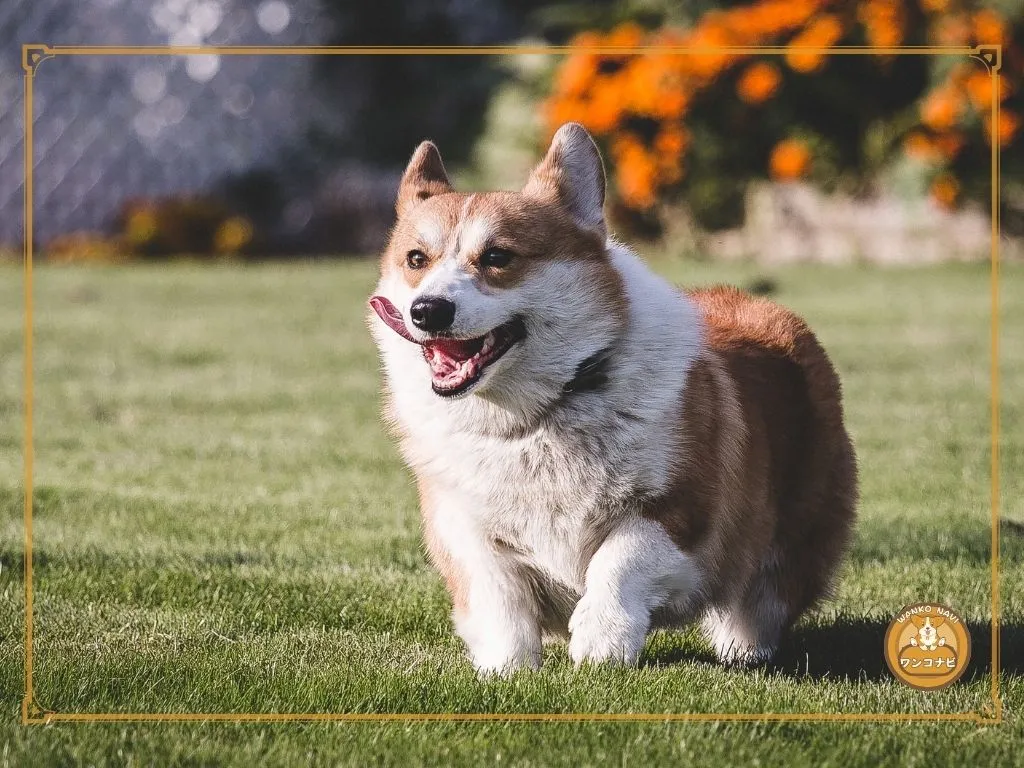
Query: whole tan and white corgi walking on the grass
x=599, y=454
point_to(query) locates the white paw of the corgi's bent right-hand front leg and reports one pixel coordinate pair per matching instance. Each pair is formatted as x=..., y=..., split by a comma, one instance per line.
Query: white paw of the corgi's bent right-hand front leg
x=603, y=630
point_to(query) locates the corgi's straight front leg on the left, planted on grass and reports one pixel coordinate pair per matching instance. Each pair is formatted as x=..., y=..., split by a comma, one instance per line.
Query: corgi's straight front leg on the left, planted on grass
x=494, y=609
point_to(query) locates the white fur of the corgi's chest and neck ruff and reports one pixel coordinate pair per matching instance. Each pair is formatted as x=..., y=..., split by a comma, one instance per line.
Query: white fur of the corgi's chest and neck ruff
x=550, y=496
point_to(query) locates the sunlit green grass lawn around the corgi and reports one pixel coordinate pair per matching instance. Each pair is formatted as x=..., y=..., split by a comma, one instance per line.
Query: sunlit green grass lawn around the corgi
x=222, y=526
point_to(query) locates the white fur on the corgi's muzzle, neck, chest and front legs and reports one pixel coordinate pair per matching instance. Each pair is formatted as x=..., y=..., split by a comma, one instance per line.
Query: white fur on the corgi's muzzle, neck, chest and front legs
x=537, y=493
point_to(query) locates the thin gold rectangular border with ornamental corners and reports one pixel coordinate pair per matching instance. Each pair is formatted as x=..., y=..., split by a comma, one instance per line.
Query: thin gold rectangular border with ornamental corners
x=32, y=713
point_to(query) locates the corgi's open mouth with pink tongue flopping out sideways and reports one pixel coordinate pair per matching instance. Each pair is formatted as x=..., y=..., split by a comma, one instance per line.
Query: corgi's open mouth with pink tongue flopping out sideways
x=456, y=365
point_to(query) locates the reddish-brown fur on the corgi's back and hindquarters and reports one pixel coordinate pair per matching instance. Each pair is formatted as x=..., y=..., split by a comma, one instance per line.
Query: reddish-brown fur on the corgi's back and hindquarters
x=765, y=462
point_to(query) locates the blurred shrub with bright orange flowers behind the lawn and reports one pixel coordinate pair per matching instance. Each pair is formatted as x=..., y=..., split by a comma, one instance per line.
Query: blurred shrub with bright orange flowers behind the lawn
x=689, y=116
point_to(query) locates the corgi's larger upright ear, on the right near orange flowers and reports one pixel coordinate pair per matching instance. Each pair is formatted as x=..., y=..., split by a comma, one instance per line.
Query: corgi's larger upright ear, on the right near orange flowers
x=572, y=175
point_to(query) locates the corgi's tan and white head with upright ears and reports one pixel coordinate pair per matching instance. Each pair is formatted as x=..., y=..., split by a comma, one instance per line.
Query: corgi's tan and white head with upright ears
x=501, y=294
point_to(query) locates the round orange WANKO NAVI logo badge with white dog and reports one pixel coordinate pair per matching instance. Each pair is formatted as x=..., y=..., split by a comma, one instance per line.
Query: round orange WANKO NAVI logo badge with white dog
x=927, y=647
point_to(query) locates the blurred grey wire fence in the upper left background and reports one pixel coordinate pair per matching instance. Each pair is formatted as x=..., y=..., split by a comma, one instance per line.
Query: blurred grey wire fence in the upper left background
x=109, y=130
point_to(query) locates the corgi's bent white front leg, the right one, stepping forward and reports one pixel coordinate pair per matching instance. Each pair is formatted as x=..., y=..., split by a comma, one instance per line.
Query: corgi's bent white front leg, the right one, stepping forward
x=635, y=571
